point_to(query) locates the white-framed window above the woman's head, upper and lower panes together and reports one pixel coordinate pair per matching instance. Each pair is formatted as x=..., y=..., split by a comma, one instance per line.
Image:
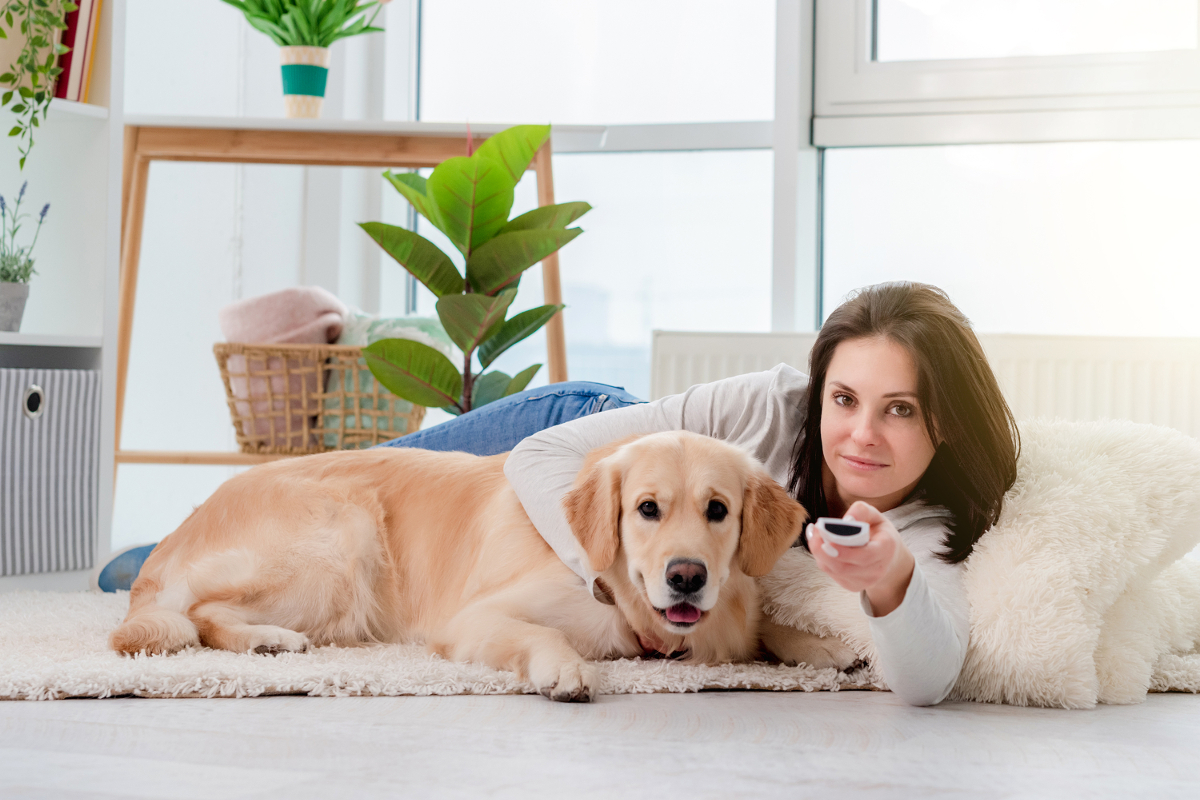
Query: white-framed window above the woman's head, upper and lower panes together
x=1054, y=189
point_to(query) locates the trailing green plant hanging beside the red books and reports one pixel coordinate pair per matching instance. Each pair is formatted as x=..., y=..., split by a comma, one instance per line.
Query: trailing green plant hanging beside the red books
x=31, y=79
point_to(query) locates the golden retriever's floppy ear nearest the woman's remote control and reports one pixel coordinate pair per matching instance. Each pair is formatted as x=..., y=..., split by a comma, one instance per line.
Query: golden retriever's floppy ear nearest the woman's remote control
x=771, y=522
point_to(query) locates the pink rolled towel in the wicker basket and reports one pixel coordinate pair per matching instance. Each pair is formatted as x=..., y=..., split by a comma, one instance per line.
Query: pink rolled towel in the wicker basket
x=297, y=316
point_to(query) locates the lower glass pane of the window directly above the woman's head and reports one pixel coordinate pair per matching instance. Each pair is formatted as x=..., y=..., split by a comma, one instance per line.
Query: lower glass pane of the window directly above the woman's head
x=1073, y=238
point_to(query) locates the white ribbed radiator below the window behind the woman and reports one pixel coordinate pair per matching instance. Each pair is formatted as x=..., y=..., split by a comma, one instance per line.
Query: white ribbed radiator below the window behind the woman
x=1154, y=381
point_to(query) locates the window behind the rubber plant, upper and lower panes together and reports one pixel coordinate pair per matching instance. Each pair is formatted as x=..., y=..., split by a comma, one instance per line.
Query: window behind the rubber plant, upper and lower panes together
x=677, y=239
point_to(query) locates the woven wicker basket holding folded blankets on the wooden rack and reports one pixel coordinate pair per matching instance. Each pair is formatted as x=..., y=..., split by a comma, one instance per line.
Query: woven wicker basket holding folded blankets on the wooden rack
x=309, y=399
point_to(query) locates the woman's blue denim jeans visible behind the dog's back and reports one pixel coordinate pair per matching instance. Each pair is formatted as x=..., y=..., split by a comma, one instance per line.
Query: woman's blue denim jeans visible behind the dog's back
x=499, y=428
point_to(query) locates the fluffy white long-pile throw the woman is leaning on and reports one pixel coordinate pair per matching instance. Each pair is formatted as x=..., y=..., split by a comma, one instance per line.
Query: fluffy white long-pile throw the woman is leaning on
x=1081, y=594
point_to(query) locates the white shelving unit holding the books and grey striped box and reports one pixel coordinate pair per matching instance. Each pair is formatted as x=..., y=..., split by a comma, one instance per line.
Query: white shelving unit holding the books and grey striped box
x=71, y=315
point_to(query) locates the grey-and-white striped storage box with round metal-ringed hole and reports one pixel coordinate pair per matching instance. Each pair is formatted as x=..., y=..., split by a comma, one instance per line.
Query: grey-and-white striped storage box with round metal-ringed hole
x=50, y=443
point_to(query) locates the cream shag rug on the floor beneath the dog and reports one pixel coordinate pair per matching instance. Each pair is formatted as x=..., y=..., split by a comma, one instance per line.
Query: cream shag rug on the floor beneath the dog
x=55, y=646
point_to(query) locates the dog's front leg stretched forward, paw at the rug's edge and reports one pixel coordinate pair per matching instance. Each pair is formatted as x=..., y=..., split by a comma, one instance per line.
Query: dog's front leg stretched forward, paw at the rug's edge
x=544, y=657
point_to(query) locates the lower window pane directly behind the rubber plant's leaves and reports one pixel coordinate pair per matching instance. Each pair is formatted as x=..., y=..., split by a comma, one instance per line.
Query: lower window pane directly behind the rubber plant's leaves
x=675, y=242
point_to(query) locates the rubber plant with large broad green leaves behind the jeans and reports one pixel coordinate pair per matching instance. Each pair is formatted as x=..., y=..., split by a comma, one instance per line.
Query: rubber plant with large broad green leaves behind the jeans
x=470, y=200
